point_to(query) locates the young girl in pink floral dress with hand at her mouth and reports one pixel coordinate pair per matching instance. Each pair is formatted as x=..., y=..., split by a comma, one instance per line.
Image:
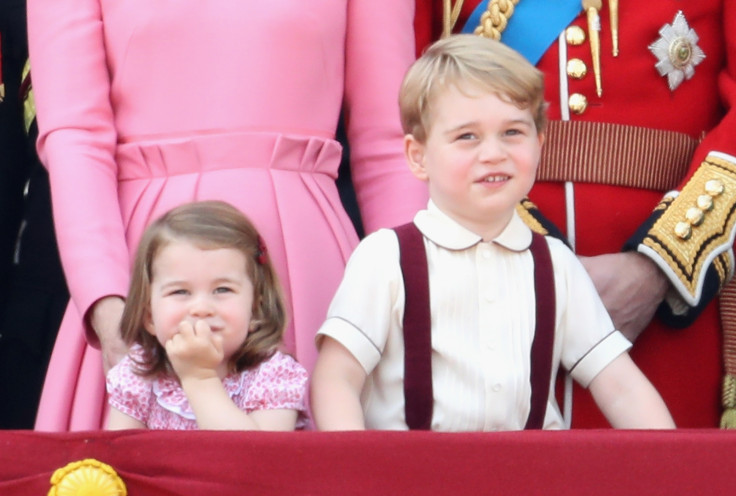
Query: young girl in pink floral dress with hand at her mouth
x=204, y=318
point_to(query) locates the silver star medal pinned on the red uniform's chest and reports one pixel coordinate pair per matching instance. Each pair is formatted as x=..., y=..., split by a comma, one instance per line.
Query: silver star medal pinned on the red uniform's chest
x=677, y=51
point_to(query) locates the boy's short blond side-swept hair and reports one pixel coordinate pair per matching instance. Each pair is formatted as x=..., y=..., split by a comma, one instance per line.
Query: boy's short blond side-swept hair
x=469, y=62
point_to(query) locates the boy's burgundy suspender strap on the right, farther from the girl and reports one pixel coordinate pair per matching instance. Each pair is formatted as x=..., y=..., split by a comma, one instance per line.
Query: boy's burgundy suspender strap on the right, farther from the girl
x=544, y=332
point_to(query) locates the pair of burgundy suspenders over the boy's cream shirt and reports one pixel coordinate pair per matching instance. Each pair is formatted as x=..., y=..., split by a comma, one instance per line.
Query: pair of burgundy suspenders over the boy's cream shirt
x=417, y=330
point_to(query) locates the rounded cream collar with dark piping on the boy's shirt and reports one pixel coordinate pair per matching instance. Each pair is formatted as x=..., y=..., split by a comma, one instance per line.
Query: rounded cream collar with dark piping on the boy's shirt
x=442, y=230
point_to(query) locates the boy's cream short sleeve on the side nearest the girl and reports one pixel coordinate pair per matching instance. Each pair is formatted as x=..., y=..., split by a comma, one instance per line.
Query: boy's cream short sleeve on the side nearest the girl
x=369, y=303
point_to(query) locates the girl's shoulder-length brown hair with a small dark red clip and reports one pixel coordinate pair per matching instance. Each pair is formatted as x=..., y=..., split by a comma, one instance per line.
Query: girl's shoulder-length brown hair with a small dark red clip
x=208, y=225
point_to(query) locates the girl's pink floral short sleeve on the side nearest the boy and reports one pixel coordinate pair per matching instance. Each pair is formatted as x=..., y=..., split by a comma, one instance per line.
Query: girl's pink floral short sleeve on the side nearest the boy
x=278, y=383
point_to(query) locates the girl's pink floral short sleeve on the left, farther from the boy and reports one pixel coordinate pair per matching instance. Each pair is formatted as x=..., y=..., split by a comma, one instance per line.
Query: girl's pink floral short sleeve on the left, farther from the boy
x=127, y=391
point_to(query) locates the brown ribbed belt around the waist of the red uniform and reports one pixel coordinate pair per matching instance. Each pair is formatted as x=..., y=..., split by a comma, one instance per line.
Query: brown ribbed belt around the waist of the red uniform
x=614, y=154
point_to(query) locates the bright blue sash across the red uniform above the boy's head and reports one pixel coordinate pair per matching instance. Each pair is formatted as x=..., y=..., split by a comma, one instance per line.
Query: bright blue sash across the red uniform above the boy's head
x=535, y=25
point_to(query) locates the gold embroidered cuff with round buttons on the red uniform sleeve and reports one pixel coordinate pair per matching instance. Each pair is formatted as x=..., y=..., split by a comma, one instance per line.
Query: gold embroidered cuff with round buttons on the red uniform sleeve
x=696, y=228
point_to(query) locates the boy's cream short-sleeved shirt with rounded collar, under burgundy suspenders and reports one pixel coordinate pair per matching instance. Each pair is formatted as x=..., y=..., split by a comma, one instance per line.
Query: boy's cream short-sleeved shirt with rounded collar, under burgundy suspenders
x=482, y=329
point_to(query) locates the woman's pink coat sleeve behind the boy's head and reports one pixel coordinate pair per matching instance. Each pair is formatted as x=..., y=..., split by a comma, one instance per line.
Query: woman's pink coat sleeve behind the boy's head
x=380, y=48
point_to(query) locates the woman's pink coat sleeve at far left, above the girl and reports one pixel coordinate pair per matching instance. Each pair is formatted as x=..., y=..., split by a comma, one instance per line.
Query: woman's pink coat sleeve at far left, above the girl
x=76, y=143
